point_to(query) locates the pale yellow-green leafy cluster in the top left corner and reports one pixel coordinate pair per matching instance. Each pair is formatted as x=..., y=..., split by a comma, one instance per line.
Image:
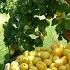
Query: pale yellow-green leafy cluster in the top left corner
x=7, y=5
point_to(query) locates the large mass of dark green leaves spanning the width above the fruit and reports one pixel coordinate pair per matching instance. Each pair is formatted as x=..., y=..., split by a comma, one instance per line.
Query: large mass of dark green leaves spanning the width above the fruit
x=22, y=22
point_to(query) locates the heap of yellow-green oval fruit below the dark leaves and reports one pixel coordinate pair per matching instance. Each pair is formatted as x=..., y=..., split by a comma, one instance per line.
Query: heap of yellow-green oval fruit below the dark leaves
x=56, y=57
